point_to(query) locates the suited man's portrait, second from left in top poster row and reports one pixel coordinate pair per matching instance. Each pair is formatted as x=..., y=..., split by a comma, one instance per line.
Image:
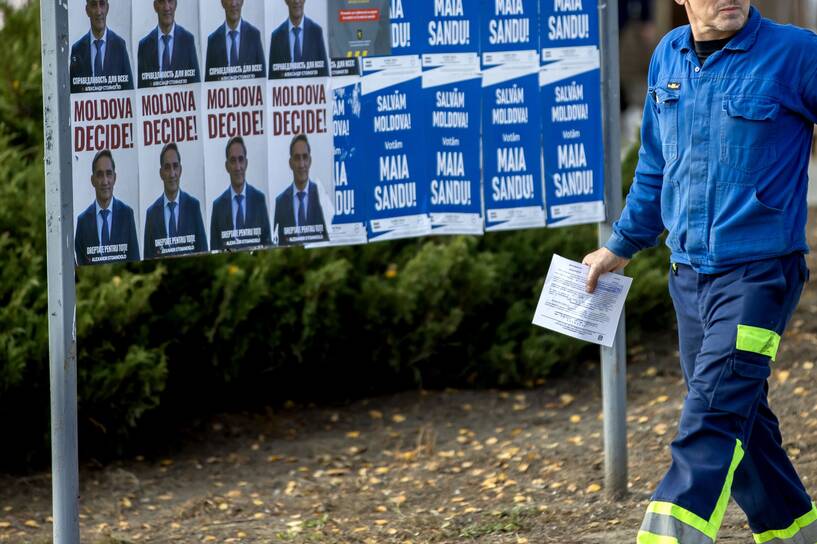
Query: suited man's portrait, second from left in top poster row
x=168, y=46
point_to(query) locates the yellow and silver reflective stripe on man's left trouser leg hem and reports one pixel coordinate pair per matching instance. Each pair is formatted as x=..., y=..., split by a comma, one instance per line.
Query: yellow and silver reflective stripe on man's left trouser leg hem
x=659, y=513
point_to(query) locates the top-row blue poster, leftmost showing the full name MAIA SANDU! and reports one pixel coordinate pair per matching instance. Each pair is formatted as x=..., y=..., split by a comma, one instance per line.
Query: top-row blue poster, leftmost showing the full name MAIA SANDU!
x=450, y=26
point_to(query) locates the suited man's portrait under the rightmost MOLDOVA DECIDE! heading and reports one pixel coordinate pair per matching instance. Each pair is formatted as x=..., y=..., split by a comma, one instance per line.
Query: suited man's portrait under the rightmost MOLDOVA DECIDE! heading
x=298, y=213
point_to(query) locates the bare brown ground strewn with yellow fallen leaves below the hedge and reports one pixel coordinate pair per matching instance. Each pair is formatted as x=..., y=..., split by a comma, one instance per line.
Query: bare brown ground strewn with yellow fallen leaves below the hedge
x=421, y=467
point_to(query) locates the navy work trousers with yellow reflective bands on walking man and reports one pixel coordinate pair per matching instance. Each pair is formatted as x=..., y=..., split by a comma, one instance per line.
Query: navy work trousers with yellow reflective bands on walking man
x=729, y=442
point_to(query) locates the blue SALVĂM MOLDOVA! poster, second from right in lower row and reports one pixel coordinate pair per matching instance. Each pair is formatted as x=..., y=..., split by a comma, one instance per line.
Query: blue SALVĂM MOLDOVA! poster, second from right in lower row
x=511, y=121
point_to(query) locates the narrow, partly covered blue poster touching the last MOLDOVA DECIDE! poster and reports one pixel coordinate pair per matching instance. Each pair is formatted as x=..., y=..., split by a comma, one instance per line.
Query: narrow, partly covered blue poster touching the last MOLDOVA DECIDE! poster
x=349, y=224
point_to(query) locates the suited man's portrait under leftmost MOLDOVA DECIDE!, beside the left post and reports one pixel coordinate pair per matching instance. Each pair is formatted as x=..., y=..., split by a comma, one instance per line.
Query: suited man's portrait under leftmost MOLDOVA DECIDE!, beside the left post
x=107, y=222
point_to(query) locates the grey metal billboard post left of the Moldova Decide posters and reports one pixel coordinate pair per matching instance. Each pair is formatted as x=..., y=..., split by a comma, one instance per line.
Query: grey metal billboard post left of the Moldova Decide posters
x=62, y=343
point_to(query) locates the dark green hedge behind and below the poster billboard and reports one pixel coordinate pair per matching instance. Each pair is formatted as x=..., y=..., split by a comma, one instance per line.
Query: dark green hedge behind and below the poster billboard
x=161, y=344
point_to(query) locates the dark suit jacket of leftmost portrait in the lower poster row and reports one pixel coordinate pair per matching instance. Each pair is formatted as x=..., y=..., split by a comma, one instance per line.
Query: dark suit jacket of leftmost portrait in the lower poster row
x=123, y=231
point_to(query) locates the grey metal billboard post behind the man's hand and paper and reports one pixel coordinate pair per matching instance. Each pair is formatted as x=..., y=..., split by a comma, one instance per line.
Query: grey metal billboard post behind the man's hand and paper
x=613, y=360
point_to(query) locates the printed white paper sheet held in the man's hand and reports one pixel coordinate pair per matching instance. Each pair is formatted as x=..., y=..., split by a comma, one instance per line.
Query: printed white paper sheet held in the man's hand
x=567, y=308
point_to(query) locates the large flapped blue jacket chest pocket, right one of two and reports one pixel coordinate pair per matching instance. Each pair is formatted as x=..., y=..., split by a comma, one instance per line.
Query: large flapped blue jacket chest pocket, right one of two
x=748, y=132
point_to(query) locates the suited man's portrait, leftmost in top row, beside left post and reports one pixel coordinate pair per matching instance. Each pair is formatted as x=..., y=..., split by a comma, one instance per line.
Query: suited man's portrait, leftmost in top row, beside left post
x=100, y=52
